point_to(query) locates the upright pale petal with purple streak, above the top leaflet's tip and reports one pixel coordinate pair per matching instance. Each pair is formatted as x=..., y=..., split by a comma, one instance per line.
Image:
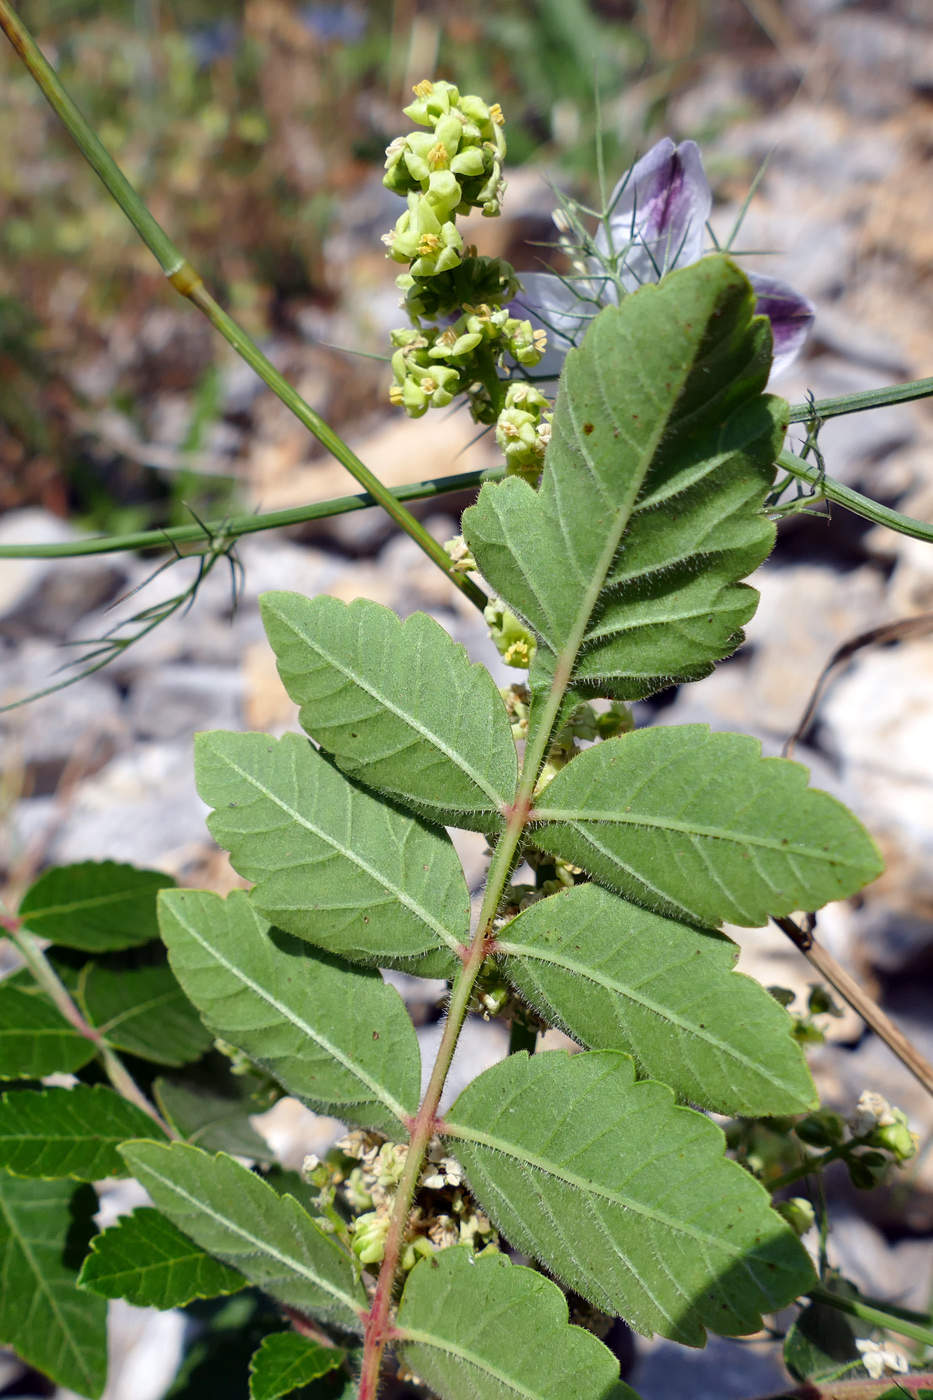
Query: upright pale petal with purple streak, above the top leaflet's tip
x=662, y=208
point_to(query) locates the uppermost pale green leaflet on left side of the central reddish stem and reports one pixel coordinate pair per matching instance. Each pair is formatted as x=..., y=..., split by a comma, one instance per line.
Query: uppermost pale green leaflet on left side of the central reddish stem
x=400, y=706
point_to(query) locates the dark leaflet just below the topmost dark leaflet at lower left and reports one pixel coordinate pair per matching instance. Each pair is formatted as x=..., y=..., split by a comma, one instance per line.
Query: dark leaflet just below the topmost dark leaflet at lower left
x=144, y=1011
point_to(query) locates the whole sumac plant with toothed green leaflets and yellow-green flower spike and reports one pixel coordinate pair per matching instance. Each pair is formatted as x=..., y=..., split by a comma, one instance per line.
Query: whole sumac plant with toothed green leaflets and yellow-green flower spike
x=617, y=548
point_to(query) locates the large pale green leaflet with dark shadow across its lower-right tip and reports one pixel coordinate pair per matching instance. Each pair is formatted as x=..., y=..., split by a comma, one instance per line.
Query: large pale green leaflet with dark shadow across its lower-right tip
x=624, y=1196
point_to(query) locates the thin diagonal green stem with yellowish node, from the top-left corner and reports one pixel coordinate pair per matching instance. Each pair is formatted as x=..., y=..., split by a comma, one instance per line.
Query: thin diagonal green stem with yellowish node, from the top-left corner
x=187, y=282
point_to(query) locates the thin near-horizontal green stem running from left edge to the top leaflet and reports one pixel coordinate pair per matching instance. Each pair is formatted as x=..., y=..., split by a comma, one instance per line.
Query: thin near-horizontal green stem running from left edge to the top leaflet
x=237, y=526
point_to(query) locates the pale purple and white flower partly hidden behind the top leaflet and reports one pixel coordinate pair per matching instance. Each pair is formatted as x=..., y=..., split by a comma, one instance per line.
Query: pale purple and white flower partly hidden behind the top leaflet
x=656, y=223
